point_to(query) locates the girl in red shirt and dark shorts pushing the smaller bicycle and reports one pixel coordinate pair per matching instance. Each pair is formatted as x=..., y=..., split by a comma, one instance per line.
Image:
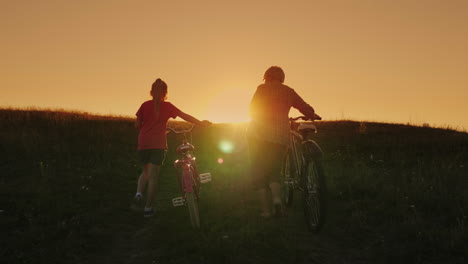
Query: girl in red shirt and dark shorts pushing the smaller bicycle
x=151, y=121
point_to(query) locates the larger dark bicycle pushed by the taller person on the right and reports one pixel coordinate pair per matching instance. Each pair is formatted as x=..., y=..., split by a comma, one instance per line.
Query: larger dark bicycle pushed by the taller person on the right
x=303, y=171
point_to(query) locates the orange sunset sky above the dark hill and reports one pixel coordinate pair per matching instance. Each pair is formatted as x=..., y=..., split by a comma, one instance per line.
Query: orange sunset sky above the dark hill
x=398, y=61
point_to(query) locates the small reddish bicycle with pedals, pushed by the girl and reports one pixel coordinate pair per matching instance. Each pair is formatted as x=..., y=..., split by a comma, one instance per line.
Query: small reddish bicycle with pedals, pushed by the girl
x=188, y=178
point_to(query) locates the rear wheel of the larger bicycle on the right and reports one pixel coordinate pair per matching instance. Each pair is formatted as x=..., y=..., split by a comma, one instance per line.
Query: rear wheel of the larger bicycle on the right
x=314, y=194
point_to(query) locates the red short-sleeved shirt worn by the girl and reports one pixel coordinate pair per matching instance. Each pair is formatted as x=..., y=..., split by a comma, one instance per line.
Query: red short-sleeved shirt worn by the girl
x=153, y=130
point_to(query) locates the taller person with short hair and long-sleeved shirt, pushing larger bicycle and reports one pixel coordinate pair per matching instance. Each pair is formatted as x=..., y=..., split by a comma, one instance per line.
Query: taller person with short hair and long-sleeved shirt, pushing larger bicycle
x=268, y=136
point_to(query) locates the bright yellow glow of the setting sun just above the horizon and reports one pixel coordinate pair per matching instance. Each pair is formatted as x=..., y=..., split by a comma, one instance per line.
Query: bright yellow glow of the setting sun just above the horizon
x=230, y=106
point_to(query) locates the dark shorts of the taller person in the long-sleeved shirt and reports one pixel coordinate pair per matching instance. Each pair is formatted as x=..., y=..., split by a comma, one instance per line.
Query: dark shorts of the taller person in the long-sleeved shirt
x=266, y=160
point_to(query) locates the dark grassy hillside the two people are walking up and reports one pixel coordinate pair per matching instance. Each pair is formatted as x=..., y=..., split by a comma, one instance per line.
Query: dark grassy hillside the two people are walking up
x=398, y=194
